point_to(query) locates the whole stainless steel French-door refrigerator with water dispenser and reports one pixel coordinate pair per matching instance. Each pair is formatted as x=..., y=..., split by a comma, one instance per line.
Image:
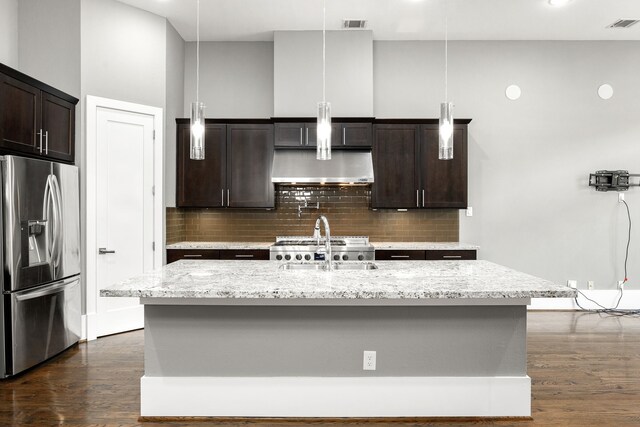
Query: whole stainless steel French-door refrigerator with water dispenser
x=40, y=314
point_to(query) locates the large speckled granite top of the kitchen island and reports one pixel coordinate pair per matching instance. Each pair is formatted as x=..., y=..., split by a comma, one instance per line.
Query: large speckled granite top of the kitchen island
x=393, y=280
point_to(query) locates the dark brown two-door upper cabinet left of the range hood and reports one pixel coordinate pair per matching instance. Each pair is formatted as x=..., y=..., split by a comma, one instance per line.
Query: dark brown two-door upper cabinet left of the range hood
x=236, y=171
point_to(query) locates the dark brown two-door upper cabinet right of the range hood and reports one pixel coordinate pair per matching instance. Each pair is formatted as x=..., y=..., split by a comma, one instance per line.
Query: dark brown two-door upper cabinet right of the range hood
x=408, y=173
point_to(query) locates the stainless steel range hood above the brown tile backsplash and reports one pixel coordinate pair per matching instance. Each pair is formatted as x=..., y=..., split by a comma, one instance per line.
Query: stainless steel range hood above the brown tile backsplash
x=301, y=167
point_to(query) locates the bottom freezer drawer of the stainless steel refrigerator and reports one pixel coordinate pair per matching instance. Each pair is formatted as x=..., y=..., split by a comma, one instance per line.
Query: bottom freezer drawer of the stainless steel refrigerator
x=44, y=321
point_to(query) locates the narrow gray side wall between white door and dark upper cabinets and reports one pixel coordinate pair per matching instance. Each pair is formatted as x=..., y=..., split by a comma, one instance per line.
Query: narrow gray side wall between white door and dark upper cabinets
x=174, y=104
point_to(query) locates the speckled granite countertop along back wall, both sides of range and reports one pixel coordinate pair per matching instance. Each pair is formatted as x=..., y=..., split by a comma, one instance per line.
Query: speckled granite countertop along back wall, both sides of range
x=376, y=245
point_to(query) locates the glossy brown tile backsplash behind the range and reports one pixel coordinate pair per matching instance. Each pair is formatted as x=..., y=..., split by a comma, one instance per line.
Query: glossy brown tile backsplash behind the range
x=347, y=209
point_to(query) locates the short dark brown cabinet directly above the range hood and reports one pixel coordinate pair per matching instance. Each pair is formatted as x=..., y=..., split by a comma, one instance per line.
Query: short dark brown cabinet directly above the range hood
x=302, y=134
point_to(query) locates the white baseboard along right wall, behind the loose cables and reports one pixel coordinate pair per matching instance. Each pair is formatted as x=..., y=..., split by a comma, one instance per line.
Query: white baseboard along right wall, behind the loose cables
x=608, y=298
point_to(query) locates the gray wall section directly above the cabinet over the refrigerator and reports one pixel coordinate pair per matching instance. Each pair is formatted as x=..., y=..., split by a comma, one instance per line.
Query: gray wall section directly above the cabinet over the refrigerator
x=49, y=42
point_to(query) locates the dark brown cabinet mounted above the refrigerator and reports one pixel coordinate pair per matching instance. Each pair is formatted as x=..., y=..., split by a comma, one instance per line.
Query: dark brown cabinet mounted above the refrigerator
x=36, y=120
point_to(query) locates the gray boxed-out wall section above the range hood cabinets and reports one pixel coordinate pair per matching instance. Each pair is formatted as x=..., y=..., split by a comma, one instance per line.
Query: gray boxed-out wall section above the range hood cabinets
x=298, y=73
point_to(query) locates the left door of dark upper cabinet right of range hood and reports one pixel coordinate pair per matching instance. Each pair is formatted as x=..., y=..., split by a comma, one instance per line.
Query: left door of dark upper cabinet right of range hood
x=395, y=166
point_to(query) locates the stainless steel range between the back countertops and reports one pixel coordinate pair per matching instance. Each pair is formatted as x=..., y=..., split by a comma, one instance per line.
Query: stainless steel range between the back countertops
x=306, y=248
